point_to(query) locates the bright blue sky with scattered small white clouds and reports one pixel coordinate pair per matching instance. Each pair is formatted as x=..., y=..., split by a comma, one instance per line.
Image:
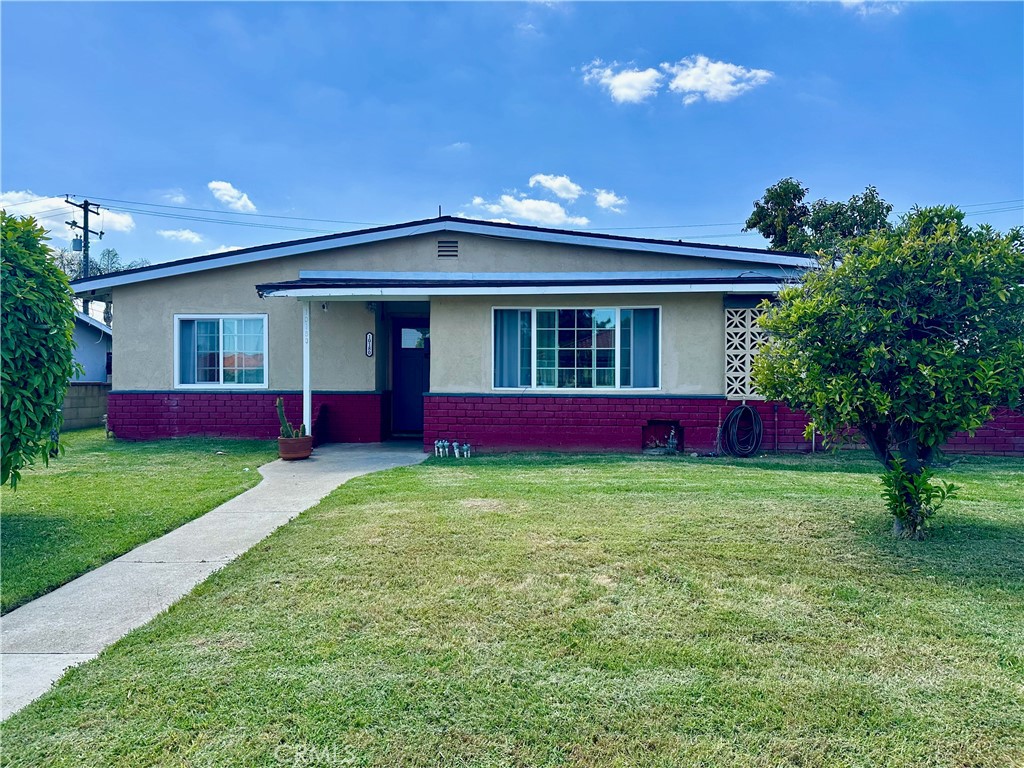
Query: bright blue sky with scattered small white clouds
x=201, y=127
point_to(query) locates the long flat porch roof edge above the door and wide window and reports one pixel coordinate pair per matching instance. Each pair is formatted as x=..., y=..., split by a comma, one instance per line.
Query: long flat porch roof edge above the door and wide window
x=314, y=284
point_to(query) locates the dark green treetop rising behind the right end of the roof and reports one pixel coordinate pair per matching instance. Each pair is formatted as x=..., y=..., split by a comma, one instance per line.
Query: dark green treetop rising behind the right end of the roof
x=822, y=229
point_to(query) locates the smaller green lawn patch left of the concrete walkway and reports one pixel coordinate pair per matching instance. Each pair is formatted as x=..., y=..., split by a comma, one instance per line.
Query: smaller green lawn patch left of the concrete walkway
x=103, y=498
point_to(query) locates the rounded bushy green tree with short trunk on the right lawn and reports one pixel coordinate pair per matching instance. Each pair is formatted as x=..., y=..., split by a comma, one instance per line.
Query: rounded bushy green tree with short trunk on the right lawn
x=917, y=334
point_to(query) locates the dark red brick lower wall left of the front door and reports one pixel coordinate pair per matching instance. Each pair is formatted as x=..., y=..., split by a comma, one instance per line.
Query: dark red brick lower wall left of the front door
x=142, y=416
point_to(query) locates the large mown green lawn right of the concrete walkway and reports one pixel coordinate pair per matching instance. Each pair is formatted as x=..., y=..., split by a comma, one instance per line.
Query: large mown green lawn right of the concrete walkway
x=544, y=611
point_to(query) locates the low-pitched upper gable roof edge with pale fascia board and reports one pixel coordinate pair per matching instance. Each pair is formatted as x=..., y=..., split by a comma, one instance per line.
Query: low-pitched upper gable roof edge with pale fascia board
x=443, y=225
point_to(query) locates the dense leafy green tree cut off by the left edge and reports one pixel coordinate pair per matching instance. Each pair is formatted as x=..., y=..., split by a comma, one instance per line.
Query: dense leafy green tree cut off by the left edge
x=36, y=346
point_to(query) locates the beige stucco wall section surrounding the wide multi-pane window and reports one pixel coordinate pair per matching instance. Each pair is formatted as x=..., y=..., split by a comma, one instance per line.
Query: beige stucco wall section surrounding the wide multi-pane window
x=693, y=338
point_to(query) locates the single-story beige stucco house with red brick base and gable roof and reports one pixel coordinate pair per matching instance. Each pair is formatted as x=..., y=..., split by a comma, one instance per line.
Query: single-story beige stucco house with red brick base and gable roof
x=499, y=335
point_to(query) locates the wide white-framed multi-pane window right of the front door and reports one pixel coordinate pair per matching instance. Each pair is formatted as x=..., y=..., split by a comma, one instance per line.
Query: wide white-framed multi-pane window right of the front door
x=577, y=349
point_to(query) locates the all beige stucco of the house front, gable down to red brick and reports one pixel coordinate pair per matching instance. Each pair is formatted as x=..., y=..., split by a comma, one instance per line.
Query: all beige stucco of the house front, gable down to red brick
x=144, y=351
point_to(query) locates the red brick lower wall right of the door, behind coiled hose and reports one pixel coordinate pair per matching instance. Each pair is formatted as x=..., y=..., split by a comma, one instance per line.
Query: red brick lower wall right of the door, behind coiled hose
x=616, y=423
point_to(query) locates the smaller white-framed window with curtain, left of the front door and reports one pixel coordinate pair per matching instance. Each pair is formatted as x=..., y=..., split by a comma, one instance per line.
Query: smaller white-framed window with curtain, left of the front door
x=221, y=351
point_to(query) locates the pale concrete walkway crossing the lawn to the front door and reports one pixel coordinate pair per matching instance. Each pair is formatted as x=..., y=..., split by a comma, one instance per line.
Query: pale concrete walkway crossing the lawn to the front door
x=71, y=625
